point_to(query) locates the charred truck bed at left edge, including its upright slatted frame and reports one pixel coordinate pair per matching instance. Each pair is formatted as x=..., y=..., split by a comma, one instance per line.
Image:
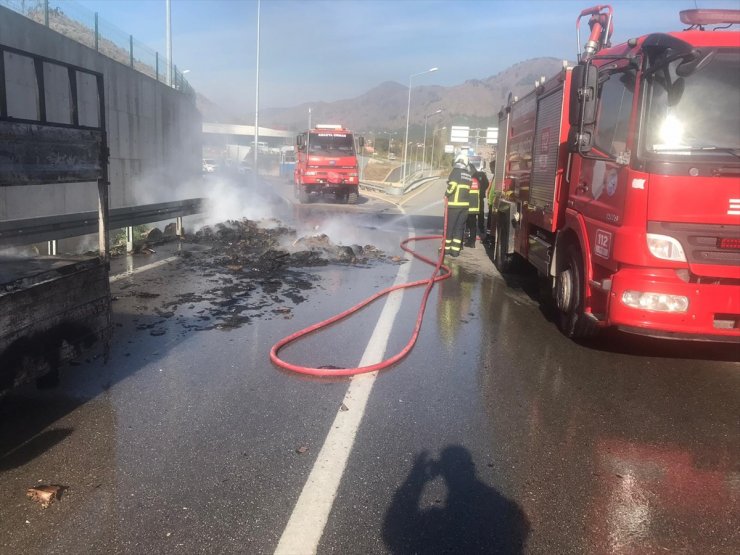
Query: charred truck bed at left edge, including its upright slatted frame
x=51, y=307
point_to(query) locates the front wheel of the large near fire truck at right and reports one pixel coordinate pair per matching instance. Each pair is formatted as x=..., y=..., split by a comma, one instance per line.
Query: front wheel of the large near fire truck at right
x=569, y=296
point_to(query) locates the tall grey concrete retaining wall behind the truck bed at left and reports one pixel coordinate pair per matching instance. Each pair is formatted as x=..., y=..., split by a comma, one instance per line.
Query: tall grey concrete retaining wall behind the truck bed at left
x=154, y=131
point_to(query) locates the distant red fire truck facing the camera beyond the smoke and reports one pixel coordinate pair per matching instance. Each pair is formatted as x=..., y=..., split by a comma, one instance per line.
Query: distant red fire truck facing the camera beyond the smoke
x=326, y=162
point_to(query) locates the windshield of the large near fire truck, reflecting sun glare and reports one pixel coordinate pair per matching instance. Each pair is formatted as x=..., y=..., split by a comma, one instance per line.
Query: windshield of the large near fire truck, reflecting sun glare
x=695, y=114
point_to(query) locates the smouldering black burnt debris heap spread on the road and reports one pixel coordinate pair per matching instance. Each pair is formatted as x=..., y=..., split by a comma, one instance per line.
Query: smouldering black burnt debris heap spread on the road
x=244, y=270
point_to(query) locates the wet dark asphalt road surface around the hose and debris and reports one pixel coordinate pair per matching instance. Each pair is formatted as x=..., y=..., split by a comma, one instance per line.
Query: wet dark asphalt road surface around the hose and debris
x=495, y=435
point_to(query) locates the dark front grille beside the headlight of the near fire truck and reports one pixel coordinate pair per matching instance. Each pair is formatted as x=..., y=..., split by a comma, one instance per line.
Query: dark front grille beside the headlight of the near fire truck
x=704, y=243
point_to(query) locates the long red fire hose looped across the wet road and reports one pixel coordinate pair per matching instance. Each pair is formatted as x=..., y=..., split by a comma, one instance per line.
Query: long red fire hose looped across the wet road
x=435, y=277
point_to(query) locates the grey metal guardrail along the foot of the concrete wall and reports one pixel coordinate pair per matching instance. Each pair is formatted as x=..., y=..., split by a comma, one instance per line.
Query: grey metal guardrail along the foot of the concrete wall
x=53, y=228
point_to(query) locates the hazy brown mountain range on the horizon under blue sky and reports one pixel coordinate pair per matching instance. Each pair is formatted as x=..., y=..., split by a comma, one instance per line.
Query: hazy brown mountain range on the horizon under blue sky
x=475, y=103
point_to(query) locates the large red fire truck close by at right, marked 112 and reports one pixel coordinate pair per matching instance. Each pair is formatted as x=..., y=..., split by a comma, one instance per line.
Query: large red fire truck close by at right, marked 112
x=619, y=181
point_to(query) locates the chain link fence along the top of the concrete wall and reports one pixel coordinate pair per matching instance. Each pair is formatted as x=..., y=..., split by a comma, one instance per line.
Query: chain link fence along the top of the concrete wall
x=86, y=27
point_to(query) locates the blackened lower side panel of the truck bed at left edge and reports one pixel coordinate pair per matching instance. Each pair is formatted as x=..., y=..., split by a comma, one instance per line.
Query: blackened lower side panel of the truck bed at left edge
x=53, y=308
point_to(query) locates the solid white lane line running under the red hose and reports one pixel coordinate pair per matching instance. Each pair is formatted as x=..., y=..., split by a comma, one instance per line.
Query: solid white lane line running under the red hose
x=311, y=512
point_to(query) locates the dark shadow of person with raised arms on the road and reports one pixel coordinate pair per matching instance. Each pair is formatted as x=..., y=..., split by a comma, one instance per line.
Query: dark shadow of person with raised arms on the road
x=474, y=519
